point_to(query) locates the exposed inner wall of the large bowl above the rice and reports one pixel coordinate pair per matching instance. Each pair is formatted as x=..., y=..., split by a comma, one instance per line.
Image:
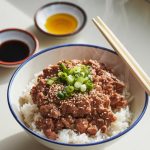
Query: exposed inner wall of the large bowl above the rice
x=41, y=60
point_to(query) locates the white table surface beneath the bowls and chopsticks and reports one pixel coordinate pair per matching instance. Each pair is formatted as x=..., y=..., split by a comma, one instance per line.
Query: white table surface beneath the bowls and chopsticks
x=128, y=19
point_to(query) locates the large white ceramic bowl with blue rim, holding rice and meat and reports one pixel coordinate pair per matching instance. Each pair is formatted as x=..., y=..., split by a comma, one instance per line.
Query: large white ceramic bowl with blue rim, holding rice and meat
x=36, y=63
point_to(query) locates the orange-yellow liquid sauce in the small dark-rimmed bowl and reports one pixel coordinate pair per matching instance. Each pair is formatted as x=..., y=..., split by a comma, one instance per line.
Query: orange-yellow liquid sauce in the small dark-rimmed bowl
x=61, y=23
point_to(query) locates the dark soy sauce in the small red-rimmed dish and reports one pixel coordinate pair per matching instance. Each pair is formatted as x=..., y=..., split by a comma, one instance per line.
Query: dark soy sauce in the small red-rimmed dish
x=13, y=50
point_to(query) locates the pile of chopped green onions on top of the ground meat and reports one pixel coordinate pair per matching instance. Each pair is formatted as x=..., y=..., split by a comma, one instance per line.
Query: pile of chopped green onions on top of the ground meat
x=76, y=79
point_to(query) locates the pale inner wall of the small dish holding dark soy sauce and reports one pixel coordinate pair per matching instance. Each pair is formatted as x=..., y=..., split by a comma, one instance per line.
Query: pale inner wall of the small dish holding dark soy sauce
x=19, y=35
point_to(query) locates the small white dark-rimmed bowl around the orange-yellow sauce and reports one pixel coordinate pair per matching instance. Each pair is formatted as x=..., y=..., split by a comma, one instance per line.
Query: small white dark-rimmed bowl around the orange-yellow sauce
x=56, y=8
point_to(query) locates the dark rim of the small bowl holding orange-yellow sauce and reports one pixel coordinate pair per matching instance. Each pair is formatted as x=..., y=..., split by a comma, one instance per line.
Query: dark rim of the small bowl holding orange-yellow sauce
x=63, y=3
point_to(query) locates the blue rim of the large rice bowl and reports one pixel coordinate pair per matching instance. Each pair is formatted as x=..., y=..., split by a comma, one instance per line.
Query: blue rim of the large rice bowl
x=61, y=143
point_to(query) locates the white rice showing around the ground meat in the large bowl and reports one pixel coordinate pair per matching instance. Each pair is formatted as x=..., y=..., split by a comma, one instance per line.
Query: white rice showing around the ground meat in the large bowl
x=30, y=114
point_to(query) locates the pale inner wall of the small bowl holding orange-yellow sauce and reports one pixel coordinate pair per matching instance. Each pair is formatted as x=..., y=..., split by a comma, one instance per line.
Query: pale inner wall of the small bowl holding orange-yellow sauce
x=56, y=8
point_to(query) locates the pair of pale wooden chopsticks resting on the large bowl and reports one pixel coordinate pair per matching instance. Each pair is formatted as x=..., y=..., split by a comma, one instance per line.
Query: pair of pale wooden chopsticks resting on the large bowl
x=134, y=67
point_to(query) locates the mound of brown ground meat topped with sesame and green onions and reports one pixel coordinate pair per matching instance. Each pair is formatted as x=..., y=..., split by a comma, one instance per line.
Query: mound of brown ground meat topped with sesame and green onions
x=77, y=95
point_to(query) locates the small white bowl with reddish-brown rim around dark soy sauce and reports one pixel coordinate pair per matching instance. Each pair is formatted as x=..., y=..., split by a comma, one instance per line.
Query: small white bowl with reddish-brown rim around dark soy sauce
x=19, y=35
